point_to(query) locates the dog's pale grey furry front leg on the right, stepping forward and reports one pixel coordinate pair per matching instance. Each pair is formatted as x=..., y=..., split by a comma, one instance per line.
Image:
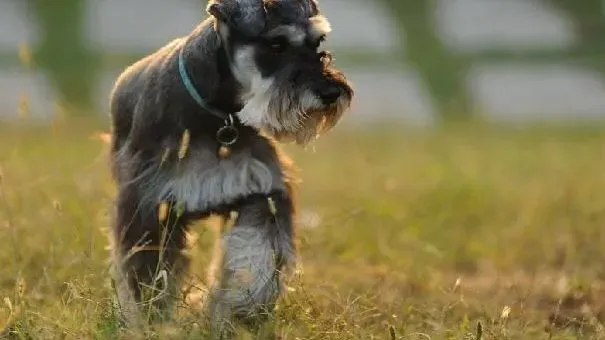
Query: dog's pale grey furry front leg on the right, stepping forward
x=257, y=247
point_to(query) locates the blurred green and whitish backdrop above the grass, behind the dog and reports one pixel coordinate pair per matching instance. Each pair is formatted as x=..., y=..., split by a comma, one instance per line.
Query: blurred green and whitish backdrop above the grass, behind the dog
x=417, y=61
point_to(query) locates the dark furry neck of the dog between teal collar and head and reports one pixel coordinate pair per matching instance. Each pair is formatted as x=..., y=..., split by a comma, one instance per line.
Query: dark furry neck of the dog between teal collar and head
x=207, y=66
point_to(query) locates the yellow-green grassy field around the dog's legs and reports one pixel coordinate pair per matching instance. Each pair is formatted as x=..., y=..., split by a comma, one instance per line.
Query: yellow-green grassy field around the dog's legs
x=463, y=233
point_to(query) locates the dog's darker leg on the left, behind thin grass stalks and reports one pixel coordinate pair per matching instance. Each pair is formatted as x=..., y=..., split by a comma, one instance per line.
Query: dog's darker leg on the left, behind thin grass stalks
x=147, y=258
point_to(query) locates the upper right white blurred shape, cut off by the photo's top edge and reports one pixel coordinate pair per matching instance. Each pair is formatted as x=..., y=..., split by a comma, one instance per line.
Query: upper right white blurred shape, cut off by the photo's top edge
x=473, y=25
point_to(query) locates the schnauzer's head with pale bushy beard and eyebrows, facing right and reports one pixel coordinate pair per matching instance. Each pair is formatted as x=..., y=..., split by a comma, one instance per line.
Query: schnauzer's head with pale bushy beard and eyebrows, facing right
x=289, y=87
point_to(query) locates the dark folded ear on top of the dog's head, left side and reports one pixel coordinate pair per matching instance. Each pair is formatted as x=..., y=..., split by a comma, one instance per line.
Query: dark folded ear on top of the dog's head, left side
x=245, y=16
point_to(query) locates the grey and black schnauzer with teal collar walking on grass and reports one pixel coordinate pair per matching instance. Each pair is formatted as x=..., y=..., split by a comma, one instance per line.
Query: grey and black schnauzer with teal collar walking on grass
x=195, y=128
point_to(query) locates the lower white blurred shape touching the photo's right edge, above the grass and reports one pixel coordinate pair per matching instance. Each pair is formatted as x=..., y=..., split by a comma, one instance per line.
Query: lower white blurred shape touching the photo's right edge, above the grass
x=518, y=92
